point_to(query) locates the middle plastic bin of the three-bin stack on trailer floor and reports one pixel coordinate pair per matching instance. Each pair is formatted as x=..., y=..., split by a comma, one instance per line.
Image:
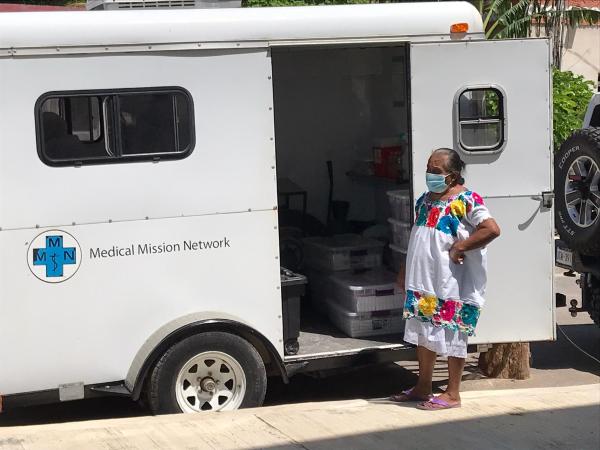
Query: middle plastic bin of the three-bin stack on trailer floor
x=373, y=290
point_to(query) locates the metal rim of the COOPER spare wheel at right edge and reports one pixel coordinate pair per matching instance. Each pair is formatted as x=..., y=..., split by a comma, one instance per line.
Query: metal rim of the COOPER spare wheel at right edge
x=582, y=195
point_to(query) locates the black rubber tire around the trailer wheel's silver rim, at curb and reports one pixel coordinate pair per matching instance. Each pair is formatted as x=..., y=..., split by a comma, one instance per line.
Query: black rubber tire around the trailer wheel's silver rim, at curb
x=163, y=378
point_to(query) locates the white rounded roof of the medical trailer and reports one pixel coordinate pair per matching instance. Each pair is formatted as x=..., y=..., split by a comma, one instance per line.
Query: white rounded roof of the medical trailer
x=235, y=25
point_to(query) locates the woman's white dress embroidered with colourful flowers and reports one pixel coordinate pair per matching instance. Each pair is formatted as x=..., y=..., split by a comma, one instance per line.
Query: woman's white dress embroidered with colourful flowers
x=444, y=299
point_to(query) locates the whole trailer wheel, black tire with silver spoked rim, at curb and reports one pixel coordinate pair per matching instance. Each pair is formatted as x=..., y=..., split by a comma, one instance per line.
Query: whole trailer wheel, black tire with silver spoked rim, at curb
x=211, y=371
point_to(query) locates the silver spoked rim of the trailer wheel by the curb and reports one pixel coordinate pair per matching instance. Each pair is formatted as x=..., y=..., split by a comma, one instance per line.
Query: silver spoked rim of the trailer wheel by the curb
x=210, y=381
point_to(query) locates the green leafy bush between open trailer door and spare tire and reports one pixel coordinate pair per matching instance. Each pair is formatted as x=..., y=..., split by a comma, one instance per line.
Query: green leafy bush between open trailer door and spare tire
x=571, y=95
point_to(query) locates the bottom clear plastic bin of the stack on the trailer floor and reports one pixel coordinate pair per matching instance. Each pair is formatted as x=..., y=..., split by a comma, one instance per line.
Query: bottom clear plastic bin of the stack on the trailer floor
x=365, y=324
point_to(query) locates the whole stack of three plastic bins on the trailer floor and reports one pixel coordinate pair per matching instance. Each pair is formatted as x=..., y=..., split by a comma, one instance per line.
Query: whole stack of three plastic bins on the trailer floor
x=361, y=297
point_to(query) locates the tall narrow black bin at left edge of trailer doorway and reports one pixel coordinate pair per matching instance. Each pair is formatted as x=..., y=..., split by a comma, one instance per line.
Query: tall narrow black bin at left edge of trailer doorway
x=292, y=289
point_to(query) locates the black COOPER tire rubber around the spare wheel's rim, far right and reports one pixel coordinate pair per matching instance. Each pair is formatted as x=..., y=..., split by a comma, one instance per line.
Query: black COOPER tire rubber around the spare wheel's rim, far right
x=579, y=152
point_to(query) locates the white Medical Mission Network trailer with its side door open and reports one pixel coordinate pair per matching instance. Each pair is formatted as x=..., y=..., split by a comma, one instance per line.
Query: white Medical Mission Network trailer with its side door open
x=139, y=158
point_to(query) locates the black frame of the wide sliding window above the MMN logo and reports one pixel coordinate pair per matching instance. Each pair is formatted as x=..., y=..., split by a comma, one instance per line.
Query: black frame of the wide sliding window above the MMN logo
x=115, y=138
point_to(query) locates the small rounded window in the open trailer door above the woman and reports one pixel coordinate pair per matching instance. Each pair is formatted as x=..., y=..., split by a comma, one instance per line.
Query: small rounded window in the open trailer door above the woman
x=481, y=120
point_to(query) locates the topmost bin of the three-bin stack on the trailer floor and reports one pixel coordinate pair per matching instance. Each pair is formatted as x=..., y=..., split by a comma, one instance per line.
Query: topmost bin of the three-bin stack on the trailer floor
x=342, y=252
